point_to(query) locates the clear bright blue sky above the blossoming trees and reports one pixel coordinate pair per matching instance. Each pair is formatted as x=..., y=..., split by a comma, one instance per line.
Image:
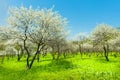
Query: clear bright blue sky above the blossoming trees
x=82, y=15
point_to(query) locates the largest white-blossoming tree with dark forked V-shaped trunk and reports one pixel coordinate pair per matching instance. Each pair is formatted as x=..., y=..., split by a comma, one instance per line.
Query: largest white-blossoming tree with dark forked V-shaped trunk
x=35, y=26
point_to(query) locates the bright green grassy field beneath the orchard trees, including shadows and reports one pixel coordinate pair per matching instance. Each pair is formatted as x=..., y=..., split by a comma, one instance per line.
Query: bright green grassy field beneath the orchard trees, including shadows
x=71, y=68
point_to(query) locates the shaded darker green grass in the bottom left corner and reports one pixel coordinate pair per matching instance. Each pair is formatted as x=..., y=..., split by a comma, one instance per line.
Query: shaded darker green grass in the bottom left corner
x=13, y=74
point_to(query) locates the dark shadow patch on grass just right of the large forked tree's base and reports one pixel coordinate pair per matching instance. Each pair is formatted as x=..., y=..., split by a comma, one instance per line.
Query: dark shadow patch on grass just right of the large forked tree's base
x=54, y=66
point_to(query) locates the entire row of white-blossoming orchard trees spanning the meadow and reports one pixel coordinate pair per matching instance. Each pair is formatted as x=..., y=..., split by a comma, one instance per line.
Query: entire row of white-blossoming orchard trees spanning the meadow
x=36, y=32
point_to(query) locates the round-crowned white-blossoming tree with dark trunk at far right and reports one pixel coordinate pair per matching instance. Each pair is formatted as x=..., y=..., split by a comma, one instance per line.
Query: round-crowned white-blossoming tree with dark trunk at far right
x=101, y=35
